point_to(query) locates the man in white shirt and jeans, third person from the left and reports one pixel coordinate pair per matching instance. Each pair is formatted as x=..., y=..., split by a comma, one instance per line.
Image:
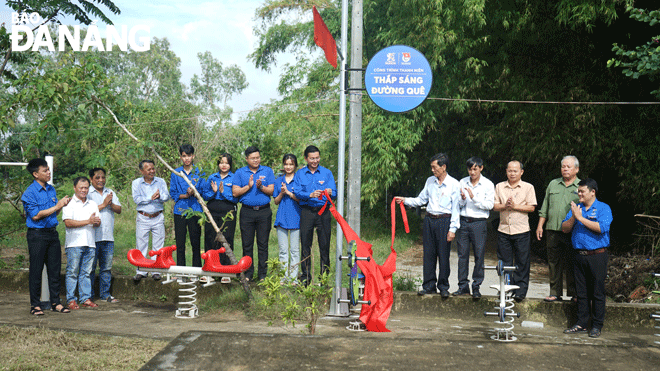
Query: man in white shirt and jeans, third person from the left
x=105, y=241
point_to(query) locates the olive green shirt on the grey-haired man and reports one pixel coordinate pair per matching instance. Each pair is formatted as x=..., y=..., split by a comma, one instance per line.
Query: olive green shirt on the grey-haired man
x=557, y=202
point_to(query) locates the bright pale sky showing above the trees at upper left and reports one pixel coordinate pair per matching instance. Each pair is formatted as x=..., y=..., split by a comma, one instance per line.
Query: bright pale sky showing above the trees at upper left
x=223, y=27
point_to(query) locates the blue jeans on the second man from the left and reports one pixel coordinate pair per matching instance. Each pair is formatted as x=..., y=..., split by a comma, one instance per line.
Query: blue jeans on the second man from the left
x=78, y=267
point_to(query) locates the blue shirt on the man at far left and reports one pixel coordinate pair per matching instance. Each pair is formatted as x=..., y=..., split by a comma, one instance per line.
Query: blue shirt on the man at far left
x=37, y=198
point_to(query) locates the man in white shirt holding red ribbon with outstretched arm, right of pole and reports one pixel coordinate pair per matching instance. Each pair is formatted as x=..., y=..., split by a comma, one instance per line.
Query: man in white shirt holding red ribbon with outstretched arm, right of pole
x=440, y=195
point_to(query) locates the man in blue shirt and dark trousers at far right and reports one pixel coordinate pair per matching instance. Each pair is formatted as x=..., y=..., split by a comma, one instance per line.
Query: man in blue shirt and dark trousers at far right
x=590, y=223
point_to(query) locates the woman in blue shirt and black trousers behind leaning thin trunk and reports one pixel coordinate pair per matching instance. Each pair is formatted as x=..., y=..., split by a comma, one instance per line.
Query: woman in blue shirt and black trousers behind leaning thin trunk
x=221, y=202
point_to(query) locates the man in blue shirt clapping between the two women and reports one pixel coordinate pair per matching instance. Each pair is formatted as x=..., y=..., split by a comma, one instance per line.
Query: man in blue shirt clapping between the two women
x=253, y=186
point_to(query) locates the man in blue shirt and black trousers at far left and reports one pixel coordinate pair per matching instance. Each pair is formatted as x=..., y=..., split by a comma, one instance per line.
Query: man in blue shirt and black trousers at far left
x=41, y=208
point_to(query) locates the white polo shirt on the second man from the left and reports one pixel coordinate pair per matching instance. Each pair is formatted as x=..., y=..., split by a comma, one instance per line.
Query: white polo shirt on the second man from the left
x=78, y=210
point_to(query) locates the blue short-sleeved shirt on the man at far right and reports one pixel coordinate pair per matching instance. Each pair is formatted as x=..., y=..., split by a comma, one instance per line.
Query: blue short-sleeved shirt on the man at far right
x=585, y=239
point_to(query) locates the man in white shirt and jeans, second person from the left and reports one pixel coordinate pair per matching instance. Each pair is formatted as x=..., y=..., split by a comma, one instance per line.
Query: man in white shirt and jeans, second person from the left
x=80, y=217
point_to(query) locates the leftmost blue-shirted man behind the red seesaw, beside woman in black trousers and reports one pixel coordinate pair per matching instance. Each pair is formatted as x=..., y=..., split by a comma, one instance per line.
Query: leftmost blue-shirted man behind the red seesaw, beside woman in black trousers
x=184, y=199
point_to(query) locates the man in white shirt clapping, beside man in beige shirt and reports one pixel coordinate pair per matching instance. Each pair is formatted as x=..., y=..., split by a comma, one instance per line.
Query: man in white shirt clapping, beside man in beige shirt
x=477, y=199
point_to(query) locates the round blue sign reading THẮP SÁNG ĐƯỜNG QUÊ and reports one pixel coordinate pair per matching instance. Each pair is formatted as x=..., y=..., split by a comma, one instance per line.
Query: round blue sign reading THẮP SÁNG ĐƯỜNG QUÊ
x=398, y=78
